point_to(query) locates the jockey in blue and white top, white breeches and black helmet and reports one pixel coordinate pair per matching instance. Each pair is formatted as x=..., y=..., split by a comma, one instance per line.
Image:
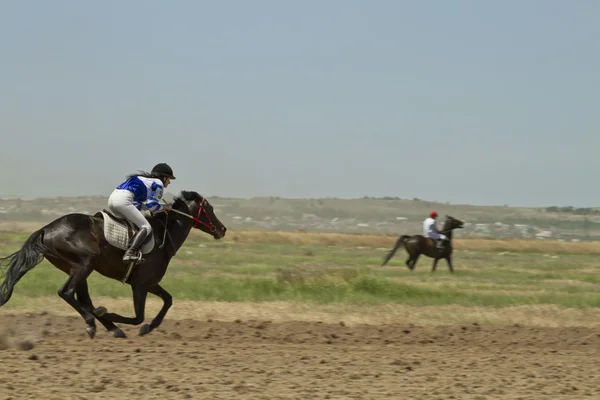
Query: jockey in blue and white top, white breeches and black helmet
x=139, y=192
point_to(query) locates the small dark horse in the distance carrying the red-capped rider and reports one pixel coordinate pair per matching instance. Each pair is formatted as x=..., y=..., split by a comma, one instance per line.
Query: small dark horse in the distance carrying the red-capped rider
x=416, y=245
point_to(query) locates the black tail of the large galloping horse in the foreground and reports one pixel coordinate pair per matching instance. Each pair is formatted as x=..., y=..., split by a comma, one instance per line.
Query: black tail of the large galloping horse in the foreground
x=19, y=263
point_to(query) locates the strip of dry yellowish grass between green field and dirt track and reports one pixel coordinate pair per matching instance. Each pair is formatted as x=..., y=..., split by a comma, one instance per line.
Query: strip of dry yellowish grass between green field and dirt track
x=279, y=311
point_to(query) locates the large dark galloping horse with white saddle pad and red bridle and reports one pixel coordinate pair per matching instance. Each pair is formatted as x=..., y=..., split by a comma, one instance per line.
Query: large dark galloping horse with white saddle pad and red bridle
x=77, y=245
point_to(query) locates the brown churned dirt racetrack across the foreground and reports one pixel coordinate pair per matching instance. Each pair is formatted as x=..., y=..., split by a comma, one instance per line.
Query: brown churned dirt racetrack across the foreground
x=50, y=357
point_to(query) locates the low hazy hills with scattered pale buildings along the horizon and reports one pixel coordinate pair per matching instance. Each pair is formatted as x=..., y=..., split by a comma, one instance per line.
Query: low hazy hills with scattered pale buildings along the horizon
x=363, y=215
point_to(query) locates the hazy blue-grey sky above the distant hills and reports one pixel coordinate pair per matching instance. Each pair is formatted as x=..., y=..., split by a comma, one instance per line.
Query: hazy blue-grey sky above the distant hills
x=475, y=102
